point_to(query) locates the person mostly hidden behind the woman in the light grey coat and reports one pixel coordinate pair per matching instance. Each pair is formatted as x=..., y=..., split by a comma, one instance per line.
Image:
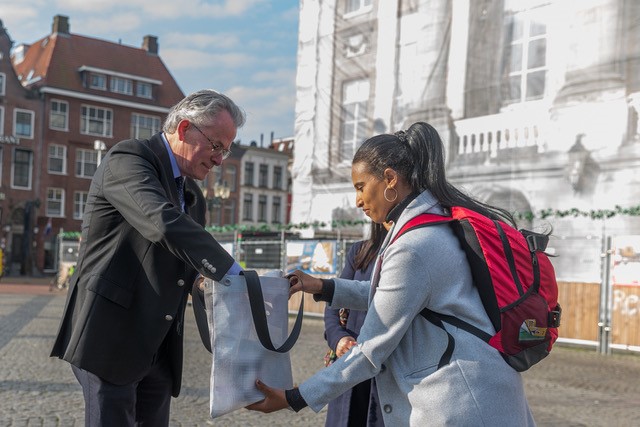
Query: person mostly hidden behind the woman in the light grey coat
x=360, y=405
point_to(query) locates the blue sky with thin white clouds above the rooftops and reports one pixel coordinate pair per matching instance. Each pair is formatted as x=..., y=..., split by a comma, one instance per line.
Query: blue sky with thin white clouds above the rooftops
x=245, y=49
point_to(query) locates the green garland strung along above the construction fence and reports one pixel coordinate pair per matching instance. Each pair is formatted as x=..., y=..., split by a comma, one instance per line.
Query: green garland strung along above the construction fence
x=528, y=216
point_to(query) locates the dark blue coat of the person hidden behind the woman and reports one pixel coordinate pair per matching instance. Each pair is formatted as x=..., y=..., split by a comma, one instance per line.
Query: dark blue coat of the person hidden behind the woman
x=338, y=411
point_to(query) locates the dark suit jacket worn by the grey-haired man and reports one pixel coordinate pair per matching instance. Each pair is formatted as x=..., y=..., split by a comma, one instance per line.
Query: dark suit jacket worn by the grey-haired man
x=138, y=259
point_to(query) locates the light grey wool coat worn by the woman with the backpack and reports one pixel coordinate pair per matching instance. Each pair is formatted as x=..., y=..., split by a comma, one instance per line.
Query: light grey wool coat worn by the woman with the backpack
x=423, y=268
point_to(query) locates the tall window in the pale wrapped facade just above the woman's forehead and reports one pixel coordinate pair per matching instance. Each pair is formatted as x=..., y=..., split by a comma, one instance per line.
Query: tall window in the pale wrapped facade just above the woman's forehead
x=355, y=95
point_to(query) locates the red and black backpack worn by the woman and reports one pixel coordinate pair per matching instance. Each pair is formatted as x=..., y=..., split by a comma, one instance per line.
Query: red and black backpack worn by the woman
x=515, y=280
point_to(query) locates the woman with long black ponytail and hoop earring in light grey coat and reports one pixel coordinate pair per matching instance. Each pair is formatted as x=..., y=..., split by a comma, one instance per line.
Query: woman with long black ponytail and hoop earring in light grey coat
x=397, y=177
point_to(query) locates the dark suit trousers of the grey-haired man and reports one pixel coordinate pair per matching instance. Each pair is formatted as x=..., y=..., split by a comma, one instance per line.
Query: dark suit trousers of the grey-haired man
x=145, y=402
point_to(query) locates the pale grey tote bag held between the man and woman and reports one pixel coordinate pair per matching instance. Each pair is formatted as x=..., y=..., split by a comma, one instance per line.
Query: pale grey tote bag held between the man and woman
x=248, y=323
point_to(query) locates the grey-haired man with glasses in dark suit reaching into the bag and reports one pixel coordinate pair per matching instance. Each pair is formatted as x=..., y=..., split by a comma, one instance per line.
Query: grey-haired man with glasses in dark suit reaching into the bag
x=143, y=246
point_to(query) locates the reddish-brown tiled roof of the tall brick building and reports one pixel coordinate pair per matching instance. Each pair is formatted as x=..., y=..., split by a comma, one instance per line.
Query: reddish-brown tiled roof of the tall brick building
x=56, y=61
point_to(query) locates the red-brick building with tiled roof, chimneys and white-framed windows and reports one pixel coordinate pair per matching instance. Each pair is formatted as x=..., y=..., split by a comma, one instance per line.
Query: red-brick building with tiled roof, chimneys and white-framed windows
x=87, y=95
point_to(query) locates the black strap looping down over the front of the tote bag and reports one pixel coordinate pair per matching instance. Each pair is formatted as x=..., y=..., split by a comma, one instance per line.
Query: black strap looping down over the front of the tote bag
x=256, y=302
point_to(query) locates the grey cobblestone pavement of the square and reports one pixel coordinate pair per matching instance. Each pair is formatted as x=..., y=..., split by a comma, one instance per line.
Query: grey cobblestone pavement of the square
x=572, y=387
